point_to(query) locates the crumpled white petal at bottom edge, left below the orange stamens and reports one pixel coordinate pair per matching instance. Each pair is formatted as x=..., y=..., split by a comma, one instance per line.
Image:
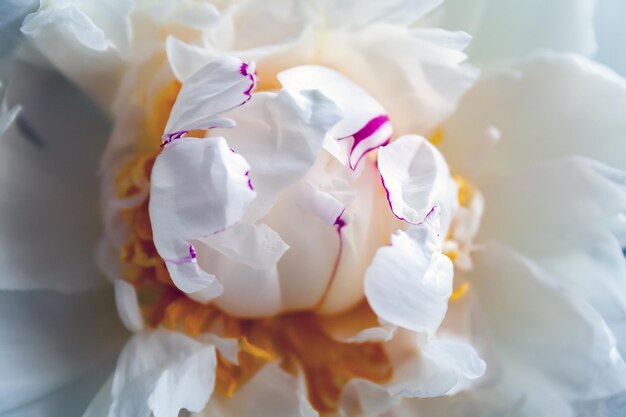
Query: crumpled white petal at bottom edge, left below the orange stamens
x=161, y=372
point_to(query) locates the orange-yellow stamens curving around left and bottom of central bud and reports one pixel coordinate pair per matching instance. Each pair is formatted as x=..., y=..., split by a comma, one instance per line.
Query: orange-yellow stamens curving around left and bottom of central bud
x=300, y=342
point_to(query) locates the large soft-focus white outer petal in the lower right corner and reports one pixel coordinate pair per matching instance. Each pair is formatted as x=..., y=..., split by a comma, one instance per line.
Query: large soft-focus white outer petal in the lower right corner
x=553, y=351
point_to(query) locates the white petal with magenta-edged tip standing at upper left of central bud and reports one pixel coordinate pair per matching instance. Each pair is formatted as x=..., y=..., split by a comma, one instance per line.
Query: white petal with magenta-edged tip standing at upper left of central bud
x=219, y=86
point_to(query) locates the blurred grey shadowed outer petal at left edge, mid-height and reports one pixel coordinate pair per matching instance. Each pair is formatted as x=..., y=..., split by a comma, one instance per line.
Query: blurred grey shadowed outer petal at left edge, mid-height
x=49, y=221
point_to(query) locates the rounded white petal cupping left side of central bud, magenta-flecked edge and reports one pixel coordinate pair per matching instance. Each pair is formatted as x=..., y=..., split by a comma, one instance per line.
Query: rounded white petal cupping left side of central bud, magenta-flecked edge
x=199, y=187
